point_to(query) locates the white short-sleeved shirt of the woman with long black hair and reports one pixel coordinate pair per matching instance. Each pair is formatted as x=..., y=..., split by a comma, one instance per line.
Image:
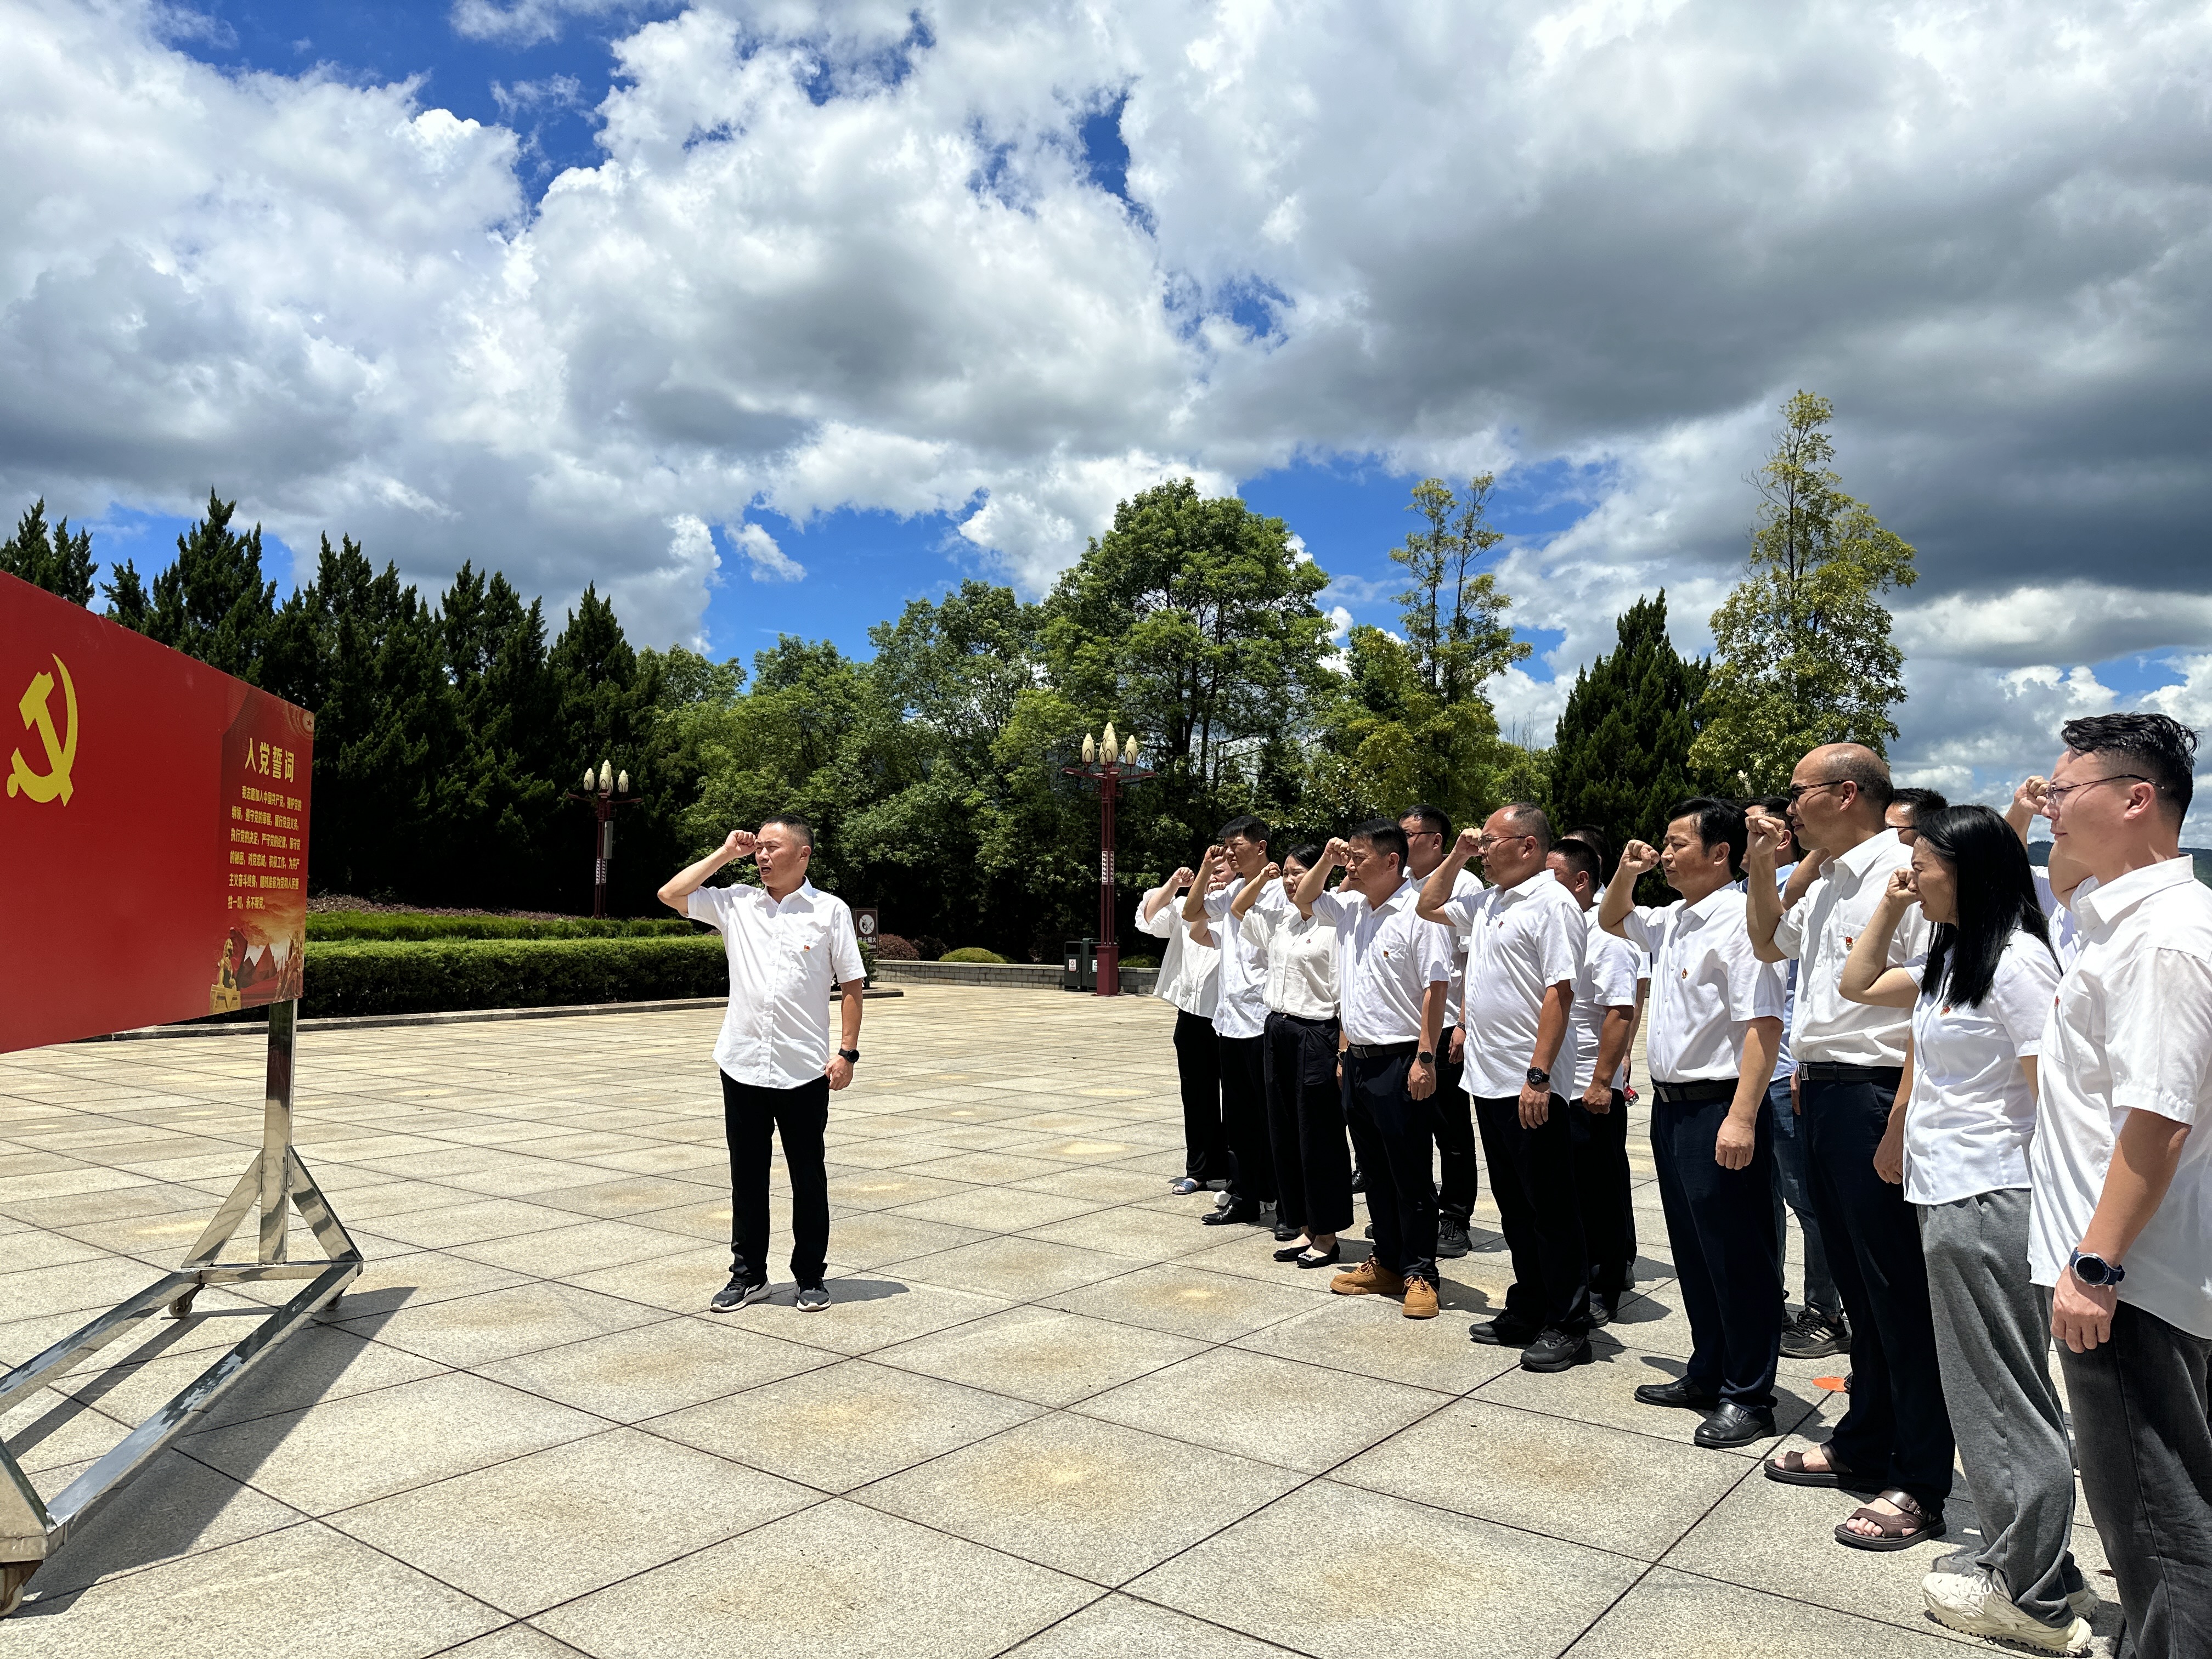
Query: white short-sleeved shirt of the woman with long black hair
x=1972, y=1114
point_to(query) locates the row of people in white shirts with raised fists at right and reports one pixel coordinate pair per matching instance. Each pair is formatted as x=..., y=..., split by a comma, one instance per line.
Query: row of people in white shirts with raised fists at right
x=1972, y=1081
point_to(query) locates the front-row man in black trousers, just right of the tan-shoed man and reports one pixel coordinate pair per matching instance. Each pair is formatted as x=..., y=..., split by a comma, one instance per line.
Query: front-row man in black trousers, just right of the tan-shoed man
x=1525, y=943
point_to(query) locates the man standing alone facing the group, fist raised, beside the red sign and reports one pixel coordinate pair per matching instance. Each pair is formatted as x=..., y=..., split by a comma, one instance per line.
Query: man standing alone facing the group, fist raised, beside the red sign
x=789, y=943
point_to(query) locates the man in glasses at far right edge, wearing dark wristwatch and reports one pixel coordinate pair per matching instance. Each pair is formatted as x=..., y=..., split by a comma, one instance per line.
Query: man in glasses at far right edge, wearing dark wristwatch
x=2120, y=1222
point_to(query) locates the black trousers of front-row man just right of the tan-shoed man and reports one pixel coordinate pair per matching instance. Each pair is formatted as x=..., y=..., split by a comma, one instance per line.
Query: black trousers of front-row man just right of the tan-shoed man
x=1534, y=1182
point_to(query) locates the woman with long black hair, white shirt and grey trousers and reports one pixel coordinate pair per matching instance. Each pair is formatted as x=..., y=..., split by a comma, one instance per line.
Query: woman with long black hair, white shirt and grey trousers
x=1959, y=1140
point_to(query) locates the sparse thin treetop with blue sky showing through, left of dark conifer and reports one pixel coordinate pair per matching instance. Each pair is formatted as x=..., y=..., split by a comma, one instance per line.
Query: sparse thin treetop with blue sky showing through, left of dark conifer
x=1457, y=647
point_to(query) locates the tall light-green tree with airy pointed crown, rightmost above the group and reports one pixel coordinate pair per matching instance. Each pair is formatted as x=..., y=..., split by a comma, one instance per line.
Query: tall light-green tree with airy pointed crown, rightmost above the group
x=1802, y=647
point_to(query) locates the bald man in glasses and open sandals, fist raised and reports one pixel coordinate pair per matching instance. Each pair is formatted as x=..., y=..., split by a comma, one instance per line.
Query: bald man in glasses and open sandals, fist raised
x=1897, y=1437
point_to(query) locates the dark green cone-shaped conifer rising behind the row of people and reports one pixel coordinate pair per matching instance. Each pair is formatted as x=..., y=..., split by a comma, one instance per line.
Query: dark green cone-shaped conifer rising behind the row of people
x=1623, y=753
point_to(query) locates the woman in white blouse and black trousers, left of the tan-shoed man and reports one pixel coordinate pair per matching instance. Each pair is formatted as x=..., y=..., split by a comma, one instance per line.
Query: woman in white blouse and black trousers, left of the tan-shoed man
x=1306, y=1116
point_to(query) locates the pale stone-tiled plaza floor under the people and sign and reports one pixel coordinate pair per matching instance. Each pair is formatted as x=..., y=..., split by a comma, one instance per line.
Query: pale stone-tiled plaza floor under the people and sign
x=1047, y=1417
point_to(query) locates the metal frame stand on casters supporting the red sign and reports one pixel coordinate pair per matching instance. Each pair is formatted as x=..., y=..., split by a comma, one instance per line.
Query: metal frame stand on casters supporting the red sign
x=275, y=1185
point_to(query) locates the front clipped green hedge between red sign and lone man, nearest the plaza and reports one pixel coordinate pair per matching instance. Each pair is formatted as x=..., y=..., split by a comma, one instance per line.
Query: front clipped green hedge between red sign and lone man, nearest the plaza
x=379, y=977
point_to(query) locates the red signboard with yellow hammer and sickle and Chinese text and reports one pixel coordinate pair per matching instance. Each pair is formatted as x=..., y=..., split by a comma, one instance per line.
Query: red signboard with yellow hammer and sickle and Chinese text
x=154, y=831
